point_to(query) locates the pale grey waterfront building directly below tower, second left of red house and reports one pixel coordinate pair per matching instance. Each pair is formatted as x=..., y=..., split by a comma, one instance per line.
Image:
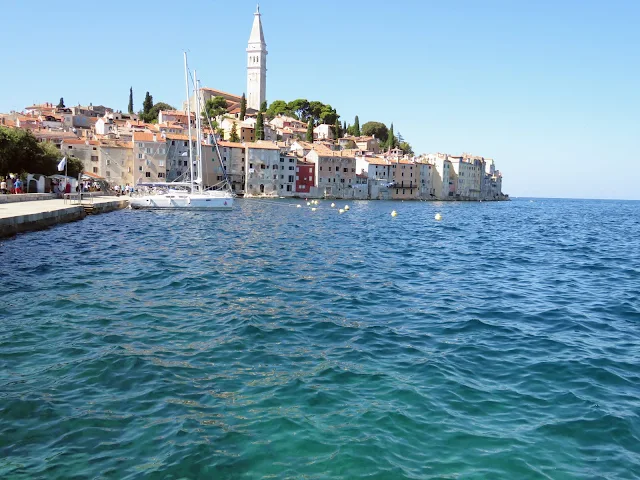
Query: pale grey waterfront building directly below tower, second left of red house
x=262, y=167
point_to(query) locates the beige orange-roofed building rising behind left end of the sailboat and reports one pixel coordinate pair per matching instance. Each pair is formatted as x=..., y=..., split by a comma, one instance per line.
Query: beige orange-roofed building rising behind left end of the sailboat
x=150, y=157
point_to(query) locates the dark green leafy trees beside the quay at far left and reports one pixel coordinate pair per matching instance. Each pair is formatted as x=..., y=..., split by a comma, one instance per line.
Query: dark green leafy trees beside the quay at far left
x=20, y=152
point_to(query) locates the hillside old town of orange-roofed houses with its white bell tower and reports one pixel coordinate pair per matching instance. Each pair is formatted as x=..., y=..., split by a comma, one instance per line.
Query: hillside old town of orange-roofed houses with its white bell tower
x=261, y=153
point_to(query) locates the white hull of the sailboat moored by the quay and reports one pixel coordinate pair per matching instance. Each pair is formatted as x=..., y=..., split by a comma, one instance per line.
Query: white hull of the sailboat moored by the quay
x=183, y=201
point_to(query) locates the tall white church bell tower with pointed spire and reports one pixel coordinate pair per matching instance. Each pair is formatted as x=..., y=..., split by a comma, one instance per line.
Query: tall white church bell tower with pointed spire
x=256, y=64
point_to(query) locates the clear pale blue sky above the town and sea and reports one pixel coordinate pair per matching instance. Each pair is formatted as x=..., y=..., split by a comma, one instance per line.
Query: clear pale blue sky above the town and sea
x=549, y=89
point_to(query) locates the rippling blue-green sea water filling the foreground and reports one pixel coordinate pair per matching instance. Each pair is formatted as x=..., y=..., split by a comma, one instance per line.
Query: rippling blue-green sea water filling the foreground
x=276, y=342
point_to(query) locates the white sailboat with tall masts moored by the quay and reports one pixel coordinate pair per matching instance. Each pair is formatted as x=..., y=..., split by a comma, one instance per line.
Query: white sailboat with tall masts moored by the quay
x=187, y=195
